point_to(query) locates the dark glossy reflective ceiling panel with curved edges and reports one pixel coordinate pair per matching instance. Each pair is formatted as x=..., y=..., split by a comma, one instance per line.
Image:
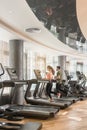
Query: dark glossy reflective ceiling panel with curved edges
x=58, y=13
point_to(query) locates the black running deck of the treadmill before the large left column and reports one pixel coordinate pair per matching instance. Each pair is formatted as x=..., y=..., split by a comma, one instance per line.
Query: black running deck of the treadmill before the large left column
x=32, y=111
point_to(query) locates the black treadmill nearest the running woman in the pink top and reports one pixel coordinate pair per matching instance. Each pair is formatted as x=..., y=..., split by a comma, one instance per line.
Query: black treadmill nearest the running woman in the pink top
x=39, y=100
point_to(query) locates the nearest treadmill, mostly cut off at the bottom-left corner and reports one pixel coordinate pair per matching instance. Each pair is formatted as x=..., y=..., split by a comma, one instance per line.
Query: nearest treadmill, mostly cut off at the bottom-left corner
x=12, y=126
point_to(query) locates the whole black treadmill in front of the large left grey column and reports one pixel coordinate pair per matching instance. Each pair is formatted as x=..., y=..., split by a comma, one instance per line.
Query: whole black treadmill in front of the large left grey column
x=24, y=110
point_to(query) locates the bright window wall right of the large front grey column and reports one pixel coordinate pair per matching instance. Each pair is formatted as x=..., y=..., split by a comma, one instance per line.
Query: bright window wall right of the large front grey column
x=35, y=60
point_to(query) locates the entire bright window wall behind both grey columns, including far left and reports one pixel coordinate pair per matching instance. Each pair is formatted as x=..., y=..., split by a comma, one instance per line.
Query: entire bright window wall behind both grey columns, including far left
x=34, y=60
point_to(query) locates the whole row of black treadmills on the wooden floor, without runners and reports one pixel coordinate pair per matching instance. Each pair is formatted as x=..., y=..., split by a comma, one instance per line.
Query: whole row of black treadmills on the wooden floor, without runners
x=37, y=104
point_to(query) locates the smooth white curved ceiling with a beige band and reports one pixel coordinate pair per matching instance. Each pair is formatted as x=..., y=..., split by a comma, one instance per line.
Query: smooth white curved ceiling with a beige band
x=16, y=19
